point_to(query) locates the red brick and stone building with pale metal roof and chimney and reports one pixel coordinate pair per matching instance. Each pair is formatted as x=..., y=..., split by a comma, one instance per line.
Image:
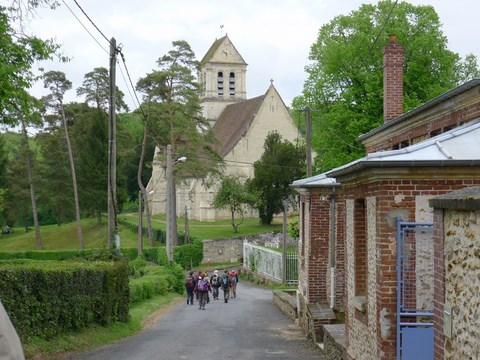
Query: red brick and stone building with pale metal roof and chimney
x=349, y=215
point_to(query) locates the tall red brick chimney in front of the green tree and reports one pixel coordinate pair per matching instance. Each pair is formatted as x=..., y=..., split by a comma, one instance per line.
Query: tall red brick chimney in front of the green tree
x=392, y=79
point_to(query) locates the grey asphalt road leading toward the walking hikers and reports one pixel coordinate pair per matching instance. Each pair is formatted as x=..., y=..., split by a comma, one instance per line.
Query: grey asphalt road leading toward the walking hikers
x=249, y=327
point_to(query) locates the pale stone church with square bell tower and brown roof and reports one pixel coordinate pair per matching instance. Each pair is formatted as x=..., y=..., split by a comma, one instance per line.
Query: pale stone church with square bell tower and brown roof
x=240, y=125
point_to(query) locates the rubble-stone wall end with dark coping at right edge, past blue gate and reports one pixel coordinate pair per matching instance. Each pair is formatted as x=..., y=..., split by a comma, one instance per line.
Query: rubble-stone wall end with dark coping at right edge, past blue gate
x=457, y=274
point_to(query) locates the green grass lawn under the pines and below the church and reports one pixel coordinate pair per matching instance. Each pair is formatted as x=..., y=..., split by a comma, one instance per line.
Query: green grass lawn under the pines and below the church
x=64, y=237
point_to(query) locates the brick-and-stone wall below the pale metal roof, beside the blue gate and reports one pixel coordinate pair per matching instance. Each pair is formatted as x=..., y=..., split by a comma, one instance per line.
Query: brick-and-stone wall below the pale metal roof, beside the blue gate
x=371, y=334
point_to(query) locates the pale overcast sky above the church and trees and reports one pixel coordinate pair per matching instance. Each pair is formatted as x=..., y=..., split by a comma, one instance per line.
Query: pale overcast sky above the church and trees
x=273, y=36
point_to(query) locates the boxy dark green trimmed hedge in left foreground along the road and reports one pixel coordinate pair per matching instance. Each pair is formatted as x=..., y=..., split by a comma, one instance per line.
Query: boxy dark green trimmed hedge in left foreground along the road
x=46, y=298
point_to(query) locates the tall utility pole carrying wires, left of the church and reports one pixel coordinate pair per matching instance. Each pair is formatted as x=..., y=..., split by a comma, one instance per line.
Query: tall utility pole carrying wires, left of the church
x=113, y=238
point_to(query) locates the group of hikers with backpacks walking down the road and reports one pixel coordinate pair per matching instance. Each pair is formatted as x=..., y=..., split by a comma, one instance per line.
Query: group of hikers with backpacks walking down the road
x=199, y=285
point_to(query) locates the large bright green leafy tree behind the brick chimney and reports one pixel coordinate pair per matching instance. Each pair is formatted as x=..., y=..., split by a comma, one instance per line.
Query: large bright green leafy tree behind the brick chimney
x=345, y=77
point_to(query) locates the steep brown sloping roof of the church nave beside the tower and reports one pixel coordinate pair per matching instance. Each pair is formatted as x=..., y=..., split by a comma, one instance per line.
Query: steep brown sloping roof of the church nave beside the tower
x=234, y=122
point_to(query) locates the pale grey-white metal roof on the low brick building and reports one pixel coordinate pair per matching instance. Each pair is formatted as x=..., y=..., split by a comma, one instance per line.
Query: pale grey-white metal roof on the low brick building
x=460, y=144
